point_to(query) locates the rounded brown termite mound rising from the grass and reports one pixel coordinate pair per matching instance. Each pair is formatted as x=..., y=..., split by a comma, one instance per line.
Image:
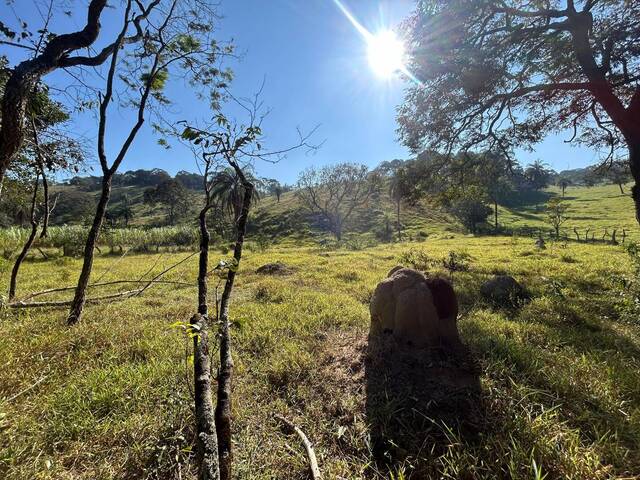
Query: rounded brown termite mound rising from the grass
x=416, y=309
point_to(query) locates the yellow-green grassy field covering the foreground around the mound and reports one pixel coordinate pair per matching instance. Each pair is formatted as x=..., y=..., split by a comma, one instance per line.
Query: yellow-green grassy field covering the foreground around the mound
x=110, y=398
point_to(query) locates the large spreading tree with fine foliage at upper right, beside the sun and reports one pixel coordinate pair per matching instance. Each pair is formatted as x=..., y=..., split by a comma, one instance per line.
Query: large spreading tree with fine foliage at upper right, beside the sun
x=502, y=75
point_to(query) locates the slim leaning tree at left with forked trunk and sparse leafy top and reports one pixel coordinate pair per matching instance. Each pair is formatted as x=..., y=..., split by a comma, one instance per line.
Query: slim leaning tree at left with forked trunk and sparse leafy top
x=178, y=41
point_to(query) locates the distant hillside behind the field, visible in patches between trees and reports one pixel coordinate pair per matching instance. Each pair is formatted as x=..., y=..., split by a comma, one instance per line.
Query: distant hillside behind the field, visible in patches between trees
x=596, y=208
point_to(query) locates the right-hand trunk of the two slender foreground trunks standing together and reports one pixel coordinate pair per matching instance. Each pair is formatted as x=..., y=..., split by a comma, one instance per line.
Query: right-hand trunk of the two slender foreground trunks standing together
x=223, y=407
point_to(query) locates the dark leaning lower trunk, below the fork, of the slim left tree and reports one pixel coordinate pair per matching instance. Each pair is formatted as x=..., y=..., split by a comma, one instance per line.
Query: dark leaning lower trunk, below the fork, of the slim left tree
x=75, y=313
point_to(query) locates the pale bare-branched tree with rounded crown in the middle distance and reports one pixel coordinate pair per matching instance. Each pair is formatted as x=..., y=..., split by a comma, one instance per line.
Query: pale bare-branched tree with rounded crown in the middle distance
x=335, y=191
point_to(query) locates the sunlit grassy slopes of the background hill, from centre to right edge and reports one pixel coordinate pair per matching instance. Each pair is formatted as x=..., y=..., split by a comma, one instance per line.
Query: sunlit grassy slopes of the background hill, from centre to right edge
x=600, y=208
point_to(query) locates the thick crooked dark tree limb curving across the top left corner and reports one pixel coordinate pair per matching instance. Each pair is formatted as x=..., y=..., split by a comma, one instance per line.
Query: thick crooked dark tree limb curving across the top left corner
x=48, y=56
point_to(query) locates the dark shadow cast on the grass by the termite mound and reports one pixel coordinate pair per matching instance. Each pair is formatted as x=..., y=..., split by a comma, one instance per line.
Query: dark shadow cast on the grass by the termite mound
x=416, y=398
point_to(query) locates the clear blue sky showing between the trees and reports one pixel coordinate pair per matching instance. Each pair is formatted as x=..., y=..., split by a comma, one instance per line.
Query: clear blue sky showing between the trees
x=316, y=73
